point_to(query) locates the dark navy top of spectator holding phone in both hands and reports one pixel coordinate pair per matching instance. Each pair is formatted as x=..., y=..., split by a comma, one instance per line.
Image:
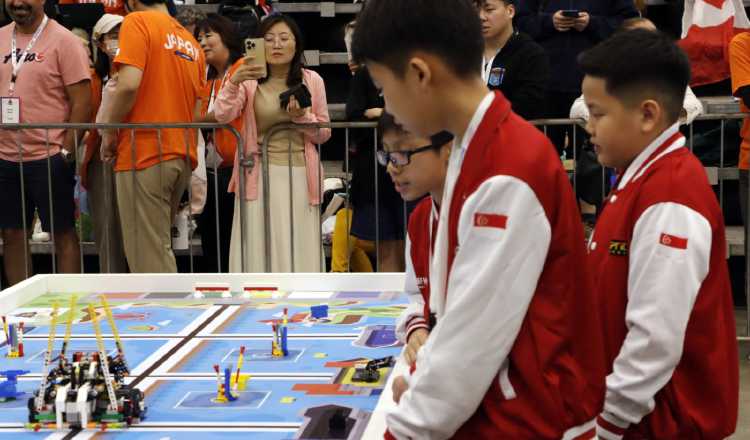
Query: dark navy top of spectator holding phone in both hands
x=535, y=18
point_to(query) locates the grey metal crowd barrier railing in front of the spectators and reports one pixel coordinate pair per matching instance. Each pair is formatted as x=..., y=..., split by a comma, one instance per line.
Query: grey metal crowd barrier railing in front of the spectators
x=247, y=163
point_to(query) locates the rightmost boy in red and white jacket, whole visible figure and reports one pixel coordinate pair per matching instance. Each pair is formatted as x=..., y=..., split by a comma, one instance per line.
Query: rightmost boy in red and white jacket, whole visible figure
x=658, y=252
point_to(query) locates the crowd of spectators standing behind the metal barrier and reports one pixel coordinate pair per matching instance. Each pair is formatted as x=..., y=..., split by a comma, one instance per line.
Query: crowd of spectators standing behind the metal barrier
x=146, y=65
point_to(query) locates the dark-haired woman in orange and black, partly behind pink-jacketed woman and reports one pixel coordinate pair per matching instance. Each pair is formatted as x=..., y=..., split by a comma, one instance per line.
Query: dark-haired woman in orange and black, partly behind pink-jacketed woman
x=222, y=48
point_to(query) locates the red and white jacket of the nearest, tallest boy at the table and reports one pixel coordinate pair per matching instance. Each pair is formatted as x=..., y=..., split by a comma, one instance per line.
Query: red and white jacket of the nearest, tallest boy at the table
x=516, y=351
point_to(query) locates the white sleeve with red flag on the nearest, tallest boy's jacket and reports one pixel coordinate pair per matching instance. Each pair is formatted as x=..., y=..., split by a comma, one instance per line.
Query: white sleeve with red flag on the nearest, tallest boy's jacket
x=494, y=276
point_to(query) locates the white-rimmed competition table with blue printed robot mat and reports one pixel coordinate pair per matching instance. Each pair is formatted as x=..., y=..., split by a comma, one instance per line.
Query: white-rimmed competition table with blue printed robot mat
x=172, y=339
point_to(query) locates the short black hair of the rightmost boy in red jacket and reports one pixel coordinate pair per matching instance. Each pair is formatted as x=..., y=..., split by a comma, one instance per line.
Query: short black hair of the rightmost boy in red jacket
x=641, y=63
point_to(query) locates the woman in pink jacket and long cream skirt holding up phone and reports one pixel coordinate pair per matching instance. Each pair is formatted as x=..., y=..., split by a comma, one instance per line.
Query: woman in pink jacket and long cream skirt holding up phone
x=255, y=96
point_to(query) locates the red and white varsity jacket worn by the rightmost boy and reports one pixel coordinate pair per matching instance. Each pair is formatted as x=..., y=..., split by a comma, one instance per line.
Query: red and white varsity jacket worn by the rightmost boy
x=658, y=258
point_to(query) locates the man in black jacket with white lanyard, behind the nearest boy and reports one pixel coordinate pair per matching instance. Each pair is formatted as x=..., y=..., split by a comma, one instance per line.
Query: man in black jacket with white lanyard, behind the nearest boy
x=513, y=62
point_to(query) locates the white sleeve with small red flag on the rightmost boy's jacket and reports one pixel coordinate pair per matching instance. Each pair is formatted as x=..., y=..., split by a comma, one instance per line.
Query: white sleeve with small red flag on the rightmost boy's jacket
x=663, y=283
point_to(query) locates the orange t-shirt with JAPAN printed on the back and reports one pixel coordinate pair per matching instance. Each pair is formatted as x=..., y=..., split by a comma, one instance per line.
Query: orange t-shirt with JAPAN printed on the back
x=173, y=80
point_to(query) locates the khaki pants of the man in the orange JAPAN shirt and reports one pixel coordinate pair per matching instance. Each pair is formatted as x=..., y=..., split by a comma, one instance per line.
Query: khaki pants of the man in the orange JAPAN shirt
x=148, y=200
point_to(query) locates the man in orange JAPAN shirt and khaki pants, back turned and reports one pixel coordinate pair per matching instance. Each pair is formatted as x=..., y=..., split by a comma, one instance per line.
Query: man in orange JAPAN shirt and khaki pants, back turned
x=161, y=70
